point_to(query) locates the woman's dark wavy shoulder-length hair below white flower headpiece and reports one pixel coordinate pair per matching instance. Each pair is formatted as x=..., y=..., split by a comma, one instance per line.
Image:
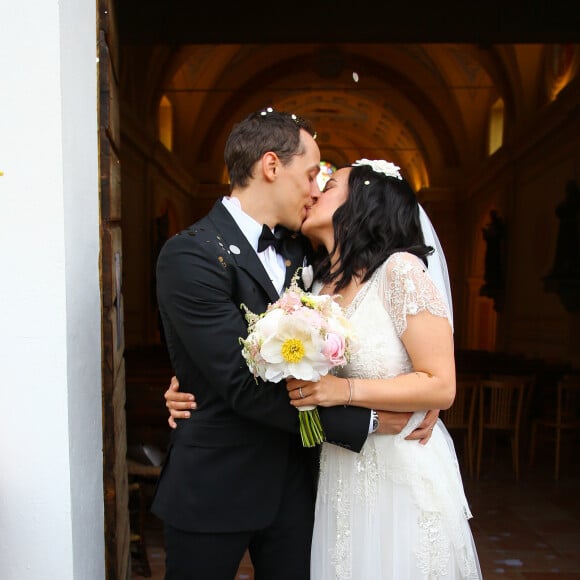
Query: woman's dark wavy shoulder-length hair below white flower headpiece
x=379, y=217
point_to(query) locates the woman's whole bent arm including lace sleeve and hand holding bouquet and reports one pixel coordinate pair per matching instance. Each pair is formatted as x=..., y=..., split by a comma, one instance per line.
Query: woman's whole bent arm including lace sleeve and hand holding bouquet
x=421, y=319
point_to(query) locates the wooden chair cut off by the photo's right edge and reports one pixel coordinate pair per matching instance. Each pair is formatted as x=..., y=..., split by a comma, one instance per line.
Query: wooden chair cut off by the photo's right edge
x=564, y=419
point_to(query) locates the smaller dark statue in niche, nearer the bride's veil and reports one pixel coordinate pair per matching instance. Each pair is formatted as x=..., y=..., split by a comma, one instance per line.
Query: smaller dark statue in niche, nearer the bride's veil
x=494, y=234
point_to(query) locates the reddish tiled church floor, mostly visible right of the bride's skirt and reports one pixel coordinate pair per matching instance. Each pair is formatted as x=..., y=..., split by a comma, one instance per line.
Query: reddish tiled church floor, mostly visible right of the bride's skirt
x=528, y=529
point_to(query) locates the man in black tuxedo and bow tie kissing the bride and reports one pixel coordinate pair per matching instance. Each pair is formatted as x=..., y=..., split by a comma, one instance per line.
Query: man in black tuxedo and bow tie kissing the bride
x=236, y=476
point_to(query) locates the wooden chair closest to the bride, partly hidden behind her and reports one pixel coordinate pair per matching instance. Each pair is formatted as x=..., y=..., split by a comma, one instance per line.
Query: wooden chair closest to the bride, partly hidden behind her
x=460, y=417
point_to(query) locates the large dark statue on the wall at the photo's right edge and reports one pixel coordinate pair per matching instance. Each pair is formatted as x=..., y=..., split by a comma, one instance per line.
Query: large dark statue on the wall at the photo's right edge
x=564, y=277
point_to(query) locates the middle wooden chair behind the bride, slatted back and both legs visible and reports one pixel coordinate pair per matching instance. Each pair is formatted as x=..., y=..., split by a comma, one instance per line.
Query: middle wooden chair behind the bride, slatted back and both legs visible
x=500, y=410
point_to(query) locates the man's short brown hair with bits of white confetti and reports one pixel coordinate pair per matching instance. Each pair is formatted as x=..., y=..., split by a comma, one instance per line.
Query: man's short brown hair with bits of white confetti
x=258, y=133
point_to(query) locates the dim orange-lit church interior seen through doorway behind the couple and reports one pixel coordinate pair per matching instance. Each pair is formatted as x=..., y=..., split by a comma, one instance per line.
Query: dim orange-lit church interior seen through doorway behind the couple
x=485, y=125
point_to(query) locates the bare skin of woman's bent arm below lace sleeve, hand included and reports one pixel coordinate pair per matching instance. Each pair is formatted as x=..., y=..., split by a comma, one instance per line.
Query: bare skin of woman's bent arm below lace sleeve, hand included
x=429, y=342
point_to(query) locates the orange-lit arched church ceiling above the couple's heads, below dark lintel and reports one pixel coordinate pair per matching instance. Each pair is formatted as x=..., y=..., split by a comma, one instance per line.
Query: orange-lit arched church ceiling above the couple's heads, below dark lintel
x=423, y=106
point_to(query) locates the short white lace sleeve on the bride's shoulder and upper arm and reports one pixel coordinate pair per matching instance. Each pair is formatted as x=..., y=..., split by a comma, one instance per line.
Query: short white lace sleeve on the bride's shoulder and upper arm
x=407, y=289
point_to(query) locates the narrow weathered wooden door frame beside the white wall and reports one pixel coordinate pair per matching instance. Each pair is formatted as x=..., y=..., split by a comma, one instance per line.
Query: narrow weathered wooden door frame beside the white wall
x=115, y=480
